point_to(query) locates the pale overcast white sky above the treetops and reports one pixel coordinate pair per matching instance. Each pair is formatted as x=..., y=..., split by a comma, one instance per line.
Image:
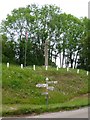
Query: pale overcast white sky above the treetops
x=78, y=8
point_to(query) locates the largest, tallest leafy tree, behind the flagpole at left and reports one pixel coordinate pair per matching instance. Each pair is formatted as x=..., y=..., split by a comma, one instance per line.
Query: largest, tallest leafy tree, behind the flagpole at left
x=33, y=20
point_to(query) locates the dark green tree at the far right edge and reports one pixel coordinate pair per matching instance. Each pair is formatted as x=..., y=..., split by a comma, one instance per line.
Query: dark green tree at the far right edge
x=84, y=60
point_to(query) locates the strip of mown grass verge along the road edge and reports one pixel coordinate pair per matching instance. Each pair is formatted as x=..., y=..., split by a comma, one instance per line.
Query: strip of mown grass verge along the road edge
x=22, y=109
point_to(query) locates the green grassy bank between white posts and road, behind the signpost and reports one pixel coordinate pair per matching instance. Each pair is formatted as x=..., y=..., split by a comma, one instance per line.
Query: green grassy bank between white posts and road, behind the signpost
x=20, y=95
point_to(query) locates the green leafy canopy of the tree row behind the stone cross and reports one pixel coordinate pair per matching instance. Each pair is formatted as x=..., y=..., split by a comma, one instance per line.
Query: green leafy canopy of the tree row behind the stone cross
x=65, y=32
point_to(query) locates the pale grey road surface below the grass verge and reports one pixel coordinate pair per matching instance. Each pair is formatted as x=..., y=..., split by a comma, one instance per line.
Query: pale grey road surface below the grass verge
x=80, y=113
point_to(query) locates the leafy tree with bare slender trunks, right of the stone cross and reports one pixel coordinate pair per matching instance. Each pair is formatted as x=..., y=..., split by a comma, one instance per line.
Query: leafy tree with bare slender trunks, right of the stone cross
x=69, y=34
